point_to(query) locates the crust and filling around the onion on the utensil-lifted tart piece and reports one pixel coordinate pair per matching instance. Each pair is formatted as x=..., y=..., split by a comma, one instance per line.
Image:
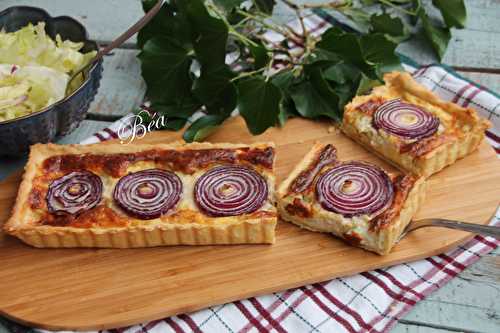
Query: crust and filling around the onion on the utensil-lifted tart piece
x=298, y=204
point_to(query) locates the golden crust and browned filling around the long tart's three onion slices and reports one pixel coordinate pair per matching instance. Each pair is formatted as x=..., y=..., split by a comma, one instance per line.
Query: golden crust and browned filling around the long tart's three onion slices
x=106, y=225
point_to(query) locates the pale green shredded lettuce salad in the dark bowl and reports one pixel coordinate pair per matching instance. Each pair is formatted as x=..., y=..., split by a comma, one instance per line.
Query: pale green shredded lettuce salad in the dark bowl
x=34, y=69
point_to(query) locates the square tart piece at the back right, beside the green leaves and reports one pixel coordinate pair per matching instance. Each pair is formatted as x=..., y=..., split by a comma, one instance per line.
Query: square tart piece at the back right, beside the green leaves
x=411, y=127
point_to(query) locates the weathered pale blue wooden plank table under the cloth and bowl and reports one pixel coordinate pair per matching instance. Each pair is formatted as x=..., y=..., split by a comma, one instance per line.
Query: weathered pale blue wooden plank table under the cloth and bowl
x=470, y=302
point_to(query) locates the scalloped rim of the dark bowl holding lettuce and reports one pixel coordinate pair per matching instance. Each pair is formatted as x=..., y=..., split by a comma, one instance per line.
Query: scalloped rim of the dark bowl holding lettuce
x=89, y=71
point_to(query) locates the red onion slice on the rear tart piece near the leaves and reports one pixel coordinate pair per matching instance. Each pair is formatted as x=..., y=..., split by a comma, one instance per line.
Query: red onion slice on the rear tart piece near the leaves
x=405, y=120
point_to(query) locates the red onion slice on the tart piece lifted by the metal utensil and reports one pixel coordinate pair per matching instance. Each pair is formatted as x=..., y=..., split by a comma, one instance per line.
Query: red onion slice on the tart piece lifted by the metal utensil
x=354, y=188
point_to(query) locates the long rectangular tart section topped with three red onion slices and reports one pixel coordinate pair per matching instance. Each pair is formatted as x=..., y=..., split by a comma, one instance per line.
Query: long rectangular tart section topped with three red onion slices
x=125, y=196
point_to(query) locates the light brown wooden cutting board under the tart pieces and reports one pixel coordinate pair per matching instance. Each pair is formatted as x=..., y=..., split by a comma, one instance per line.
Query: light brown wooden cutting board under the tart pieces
x=84, y=289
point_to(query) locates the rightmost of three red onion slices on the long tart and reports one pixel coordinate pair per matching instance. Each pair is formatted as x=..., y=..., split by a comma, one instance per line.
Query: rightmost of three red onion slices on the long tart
x=229, y=191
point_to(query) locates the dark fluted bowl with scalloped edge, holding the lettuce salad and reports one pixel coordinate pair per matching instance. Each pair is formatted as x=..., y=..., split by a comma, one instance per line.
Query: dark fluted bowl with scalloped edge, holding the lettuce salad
x=61, y=118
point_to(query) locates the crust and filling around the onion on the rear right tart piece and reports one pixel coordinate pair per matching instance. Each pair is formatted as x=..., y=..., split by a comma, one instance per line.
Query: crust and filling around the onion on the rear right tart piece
x=460, y=132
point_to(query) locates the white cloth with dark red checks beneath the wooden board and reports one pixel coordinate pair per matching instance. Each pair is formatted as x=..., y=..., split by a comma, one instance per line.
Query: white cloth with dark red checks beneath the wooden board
x=367, y=302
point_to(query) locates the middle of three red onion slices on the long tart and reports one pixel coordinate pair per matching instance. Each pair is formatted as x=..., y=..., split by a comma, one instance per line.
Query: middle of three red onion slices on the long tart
x=148, y=194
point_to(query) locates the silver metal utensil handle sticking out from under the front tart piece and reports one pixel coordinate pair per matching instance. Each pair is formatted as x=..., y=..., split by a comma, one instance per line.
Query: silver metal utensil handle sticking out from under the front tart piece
x=485, y=230
